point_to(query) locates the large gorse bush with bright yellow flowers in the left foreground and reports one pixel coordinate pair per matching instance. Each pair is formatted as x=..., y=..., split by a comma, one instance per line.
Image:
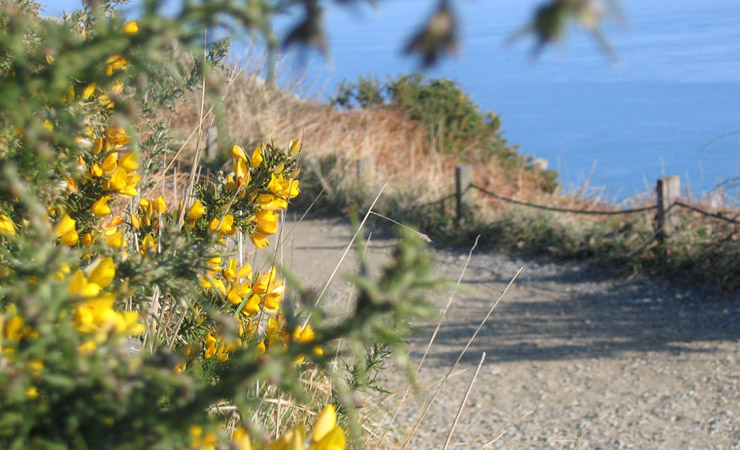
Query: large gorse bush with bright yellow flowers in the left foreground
x=127, y=317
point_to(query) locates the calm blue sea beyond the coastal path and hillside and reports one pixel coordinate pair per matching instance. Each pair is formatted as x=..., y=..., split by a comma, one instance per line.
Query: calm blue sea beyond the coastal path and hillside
x=669, y=105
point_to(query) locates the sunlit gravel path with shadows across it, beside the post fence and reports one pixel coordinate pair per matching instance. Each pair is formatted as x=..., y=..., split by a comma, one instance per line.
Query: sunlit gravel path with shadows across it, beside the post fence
x=575, y=358
